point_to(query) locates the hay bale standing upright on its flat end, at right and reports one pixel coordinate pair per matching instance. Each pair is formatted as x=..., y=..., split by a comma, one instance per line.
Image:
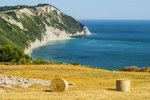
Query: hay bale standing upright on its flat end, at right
x=123, y=85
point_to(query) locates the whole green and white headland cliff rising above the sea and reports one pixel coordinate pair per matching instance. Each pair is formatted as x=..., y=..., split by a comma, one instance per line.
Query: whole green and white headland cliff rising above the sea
x=28, y=27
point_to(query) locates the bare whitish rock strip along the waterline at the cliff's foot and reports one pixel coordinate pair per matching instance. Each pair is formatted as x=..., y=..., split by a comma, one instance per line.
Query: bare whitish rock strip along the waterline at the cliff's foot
x=52, y=35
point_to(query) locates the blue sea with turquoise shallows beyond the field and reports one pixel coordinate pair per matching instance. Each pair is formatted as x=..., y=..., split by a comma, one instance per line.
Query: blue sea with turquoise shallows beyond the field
x=113, y=44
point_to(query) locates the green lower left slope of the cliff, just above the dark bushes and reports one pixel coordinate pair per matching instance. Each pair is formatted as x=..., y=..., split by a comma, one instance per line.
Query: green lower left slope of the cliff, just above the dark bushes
x=13, y=35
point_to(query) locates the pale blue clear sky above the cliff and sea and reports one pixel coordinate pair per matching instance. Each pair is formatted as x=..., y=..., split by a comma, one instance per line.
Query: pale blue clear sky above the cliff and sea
x=95, y=9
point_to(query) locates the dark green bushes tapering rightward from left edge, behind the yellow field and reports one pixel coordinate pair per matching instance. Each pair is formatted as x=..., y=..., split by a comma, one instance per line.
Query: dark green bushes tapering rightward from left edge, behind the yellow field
x=12, y=56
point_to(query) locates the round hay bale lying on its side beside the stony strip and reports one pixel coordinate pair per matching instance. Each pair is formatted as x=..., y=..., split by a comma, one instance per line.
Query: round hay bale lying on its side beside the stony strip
x=59, y=85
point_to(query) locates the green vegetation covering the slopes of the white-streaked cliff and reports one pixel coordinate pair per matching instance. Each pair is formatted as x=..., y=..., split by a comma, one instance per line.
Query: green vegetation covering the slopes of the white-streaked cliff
x=34, y=26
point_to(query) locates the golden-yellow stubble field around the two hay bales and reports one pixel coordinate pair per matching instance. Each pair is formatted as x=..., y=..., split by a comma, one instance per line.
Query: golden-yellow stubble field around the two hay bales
x=92, y=84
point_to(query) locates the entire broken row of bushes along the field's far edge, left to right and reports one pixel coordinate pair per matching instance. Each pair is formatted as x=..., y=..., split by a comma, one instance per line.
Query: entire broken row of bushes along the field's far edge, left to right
x=12, y=56
